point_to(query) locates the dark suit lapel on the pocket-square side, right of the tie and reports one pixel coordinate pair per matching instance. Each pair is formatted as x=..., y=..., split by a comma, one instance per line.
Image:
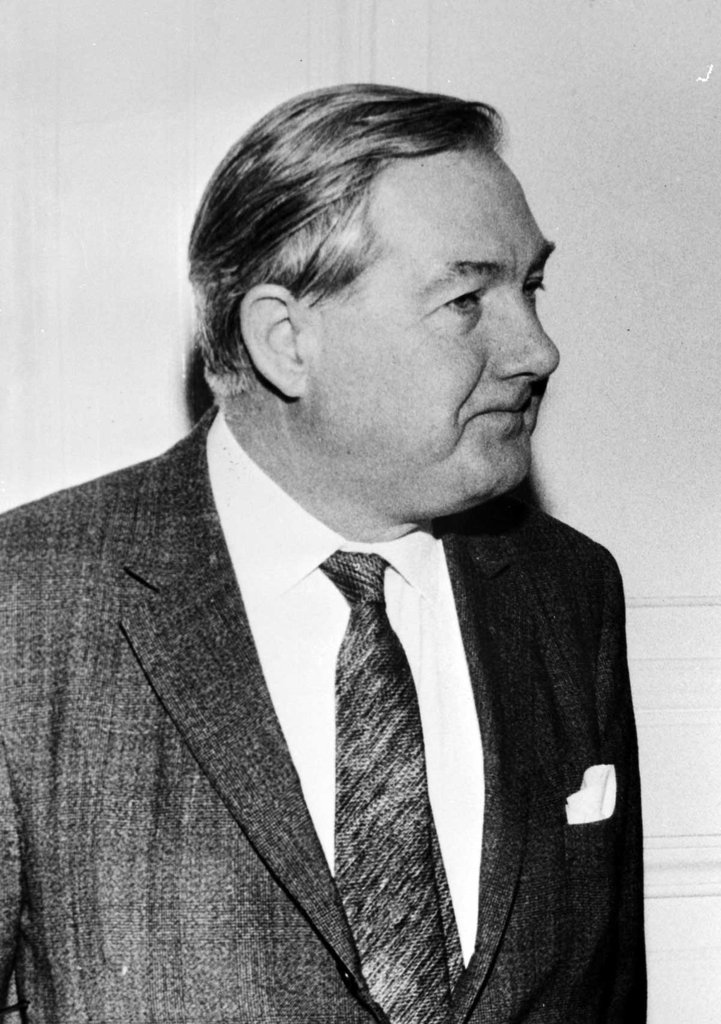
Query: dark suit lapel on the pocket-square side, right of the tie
x=497, y=628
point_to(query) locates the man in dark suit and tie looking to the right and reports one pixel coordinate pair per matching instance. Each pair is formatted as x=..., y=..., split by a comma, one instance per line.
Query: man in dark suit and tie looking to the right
x=305, y=721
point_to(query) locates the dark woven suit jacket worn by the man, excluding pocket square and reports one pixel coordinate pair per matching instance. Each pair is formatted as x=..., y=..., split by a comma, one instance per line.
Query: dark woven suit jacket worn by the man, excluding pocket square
x=157, y=861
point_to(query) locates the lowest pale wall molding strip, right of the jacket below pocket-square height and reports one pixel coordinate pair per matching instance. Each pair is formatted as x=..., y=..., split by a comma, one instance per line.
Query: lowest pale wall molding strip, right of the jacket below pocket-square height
x=683, y=867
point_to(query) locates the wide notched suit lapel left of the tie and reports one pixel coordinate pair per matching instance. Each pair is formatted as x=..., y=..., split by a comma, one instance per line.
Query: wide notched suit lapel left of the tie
x=185, y=619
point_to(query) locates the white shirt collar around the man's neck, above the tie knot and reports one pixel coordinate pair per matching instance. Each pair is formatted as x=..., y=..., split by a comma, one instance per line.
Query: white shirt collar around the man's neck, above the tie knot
x=275, y=543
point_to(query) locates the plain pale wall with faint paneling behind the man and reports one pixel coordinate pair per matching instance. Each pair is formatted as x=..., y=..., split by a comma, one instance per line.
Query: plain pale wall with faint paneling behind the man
x=116, y=114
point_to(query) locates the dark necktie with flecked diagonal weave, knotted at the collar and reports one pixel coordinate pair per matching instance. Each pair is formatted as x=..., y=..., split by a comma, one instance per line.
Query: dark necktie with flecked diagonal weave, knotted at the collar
x=385, y=826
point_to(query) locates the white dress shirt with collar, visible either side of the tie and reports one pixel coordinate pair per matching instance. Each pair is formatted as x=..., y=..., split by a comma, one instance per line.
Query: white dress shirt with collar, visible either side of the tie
x=299, y=619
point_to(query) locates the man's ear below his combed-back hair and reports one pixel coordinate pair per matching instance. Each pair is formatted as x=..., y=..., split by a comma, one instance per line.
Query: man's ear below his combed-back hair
x=275, y=328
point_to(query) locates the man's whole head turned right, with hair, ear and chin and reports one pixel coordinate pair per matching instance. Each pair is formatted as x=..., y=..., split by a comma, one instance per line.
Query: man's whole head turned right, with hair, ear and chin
x=390, y=317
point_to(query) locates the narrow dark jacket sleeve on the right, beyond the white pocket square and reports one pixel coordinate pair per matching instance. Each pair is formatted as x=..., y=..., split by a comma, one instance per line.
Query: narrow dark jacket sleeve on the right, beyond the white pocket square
x=628, y=990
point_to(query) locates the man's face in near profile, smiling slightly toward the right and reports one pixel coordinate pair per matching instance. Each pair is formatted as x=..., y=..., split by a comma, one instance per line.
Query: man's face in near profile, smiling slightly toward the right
x=426, y=388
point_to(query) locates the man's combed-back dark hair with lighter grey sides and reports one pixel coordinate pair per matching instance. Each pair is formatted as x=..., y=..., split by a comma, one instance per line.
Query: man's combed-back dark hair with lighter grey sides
x=288, y=204
